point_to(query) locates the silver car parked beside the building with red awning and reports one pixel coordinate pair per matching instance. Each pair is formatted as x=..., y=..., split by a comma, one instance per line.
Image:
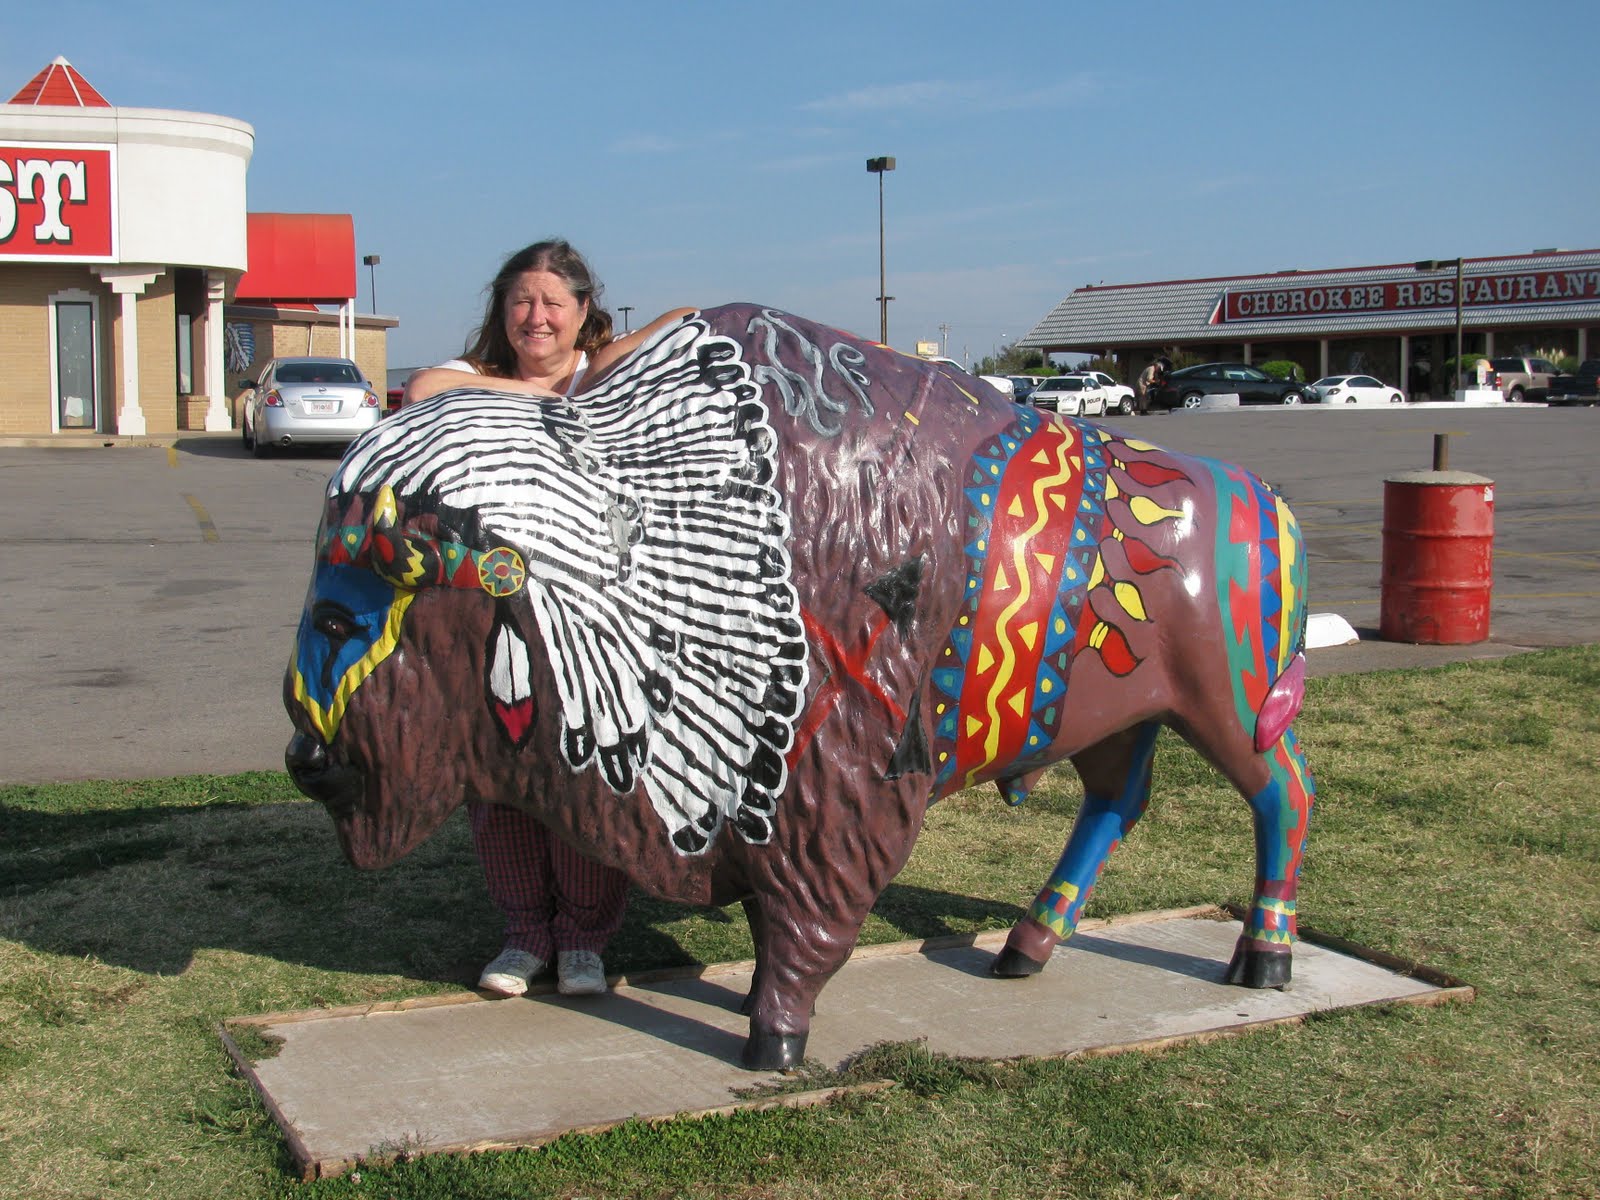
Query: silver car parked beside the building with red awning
x=314, y=402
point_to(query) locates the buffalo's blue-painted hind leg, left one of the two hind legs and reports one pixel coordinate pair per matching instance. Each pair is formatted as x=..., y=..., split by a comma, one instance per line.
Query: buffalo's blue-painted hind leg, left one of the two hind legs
x=1116, y=791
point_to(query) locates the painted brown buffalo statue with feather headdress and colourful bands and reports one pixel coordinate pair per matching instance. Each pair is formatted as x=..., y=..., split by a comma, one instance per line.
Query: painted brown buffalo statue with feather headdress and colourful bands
x=738, y=615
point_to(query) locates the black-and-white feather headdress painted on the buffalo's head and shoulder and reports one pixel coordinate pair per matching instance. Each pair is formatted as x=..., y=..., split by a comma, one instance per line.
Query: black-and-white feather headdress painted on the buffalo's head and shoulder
x=658, y=564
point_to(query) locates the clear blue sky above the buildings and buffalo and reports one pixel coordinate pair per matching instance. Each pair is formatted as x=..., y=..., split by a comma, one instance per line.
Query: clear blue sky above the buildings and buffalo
x=713, y=153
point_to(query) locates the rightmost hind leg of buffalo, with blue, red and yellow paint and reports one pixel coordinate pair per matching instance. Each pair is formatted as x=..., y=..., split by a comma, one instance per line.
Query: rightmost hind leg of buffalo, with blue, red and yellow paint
x=1281, y=814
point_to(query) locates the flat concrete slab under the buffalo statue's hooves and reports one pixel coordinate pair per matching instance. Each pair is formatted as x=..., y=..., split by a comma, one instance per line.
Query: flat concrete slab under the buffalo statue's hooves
x=466, y=1074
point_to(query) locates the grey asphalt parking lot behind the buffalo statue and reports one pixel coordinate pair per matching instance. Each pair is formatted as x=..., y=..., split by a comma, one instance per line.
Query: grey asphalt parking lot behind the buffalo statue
x=153, y=593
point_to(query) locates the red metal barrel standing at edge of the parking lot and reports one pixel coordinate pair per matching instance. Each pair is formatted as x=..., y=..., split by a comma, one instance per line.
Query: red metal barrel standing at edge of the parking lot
x=1439, y=558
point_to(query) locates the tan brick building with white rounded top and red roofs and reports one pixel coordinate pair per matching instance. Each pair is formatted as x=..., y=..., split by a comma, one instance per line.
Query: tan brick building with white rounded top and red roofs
x=137, y=284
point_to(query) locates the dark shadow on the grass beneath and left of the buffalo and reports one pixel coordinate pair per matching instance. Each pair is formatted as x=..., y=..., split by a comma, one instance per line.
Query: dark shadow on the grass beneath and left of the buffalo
x=148, y=889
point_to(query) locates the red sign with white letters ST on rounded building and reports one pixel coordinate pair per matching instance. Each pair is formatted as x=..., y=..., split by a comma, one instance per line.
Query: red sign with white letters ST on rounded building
x=58, y=202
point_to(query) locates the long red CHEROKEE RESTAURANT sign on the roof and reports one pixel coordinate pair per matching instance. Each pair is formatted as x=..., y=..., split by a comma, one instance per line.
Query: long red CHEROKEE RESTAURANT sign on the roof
x=1526, y=287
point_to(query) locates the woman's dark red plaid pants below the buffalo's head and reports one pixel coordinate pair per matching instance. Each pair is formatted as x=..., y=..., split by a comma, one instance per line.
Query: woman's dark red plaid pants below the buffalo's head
x=553, y=897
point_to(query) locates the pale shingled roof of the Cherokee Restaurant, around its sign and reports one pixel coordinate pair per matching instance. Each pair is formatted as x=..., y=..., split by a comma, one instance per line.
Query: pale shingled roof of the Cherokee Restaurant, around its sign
x=1186, y=311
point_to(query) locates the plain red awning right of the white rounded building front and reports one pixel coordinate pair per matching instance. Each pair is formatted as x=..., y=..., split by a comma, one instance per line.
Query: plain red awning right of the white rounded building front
x=306, y=258
